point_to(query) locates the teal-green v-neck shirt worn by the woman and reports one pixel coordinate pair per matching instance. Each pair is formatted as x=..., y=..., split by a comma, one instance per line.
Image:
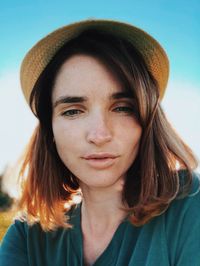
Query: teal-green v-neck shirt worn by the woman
x=171, y=239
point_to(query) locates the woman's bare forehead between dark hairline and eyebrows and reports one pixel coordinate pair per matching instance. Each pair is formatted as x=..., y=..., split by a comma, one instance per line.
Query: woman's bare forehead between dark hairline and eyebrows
x=84, y=76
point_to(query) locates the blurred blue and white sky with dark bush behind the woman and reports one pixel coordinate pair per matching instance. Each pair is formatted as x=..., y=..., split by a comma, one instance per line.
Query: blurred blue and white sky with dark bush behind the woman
x=175, y=24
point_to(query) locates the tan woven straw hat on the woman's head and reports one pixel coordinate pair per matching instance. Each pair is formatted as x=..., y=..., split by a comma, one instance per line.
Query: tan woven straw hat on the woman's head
x=40, y=55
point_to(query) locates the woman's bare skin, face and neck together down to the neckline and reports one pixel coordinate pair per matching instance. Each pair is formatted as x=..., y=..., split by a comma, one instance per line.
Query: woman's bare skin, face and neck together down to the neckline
x=97, y=124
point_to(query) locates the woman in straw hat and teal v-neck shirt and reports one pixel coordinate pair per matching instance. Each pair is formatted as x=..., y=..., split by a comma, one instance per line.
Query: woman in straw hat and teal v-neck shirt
x=95, y=87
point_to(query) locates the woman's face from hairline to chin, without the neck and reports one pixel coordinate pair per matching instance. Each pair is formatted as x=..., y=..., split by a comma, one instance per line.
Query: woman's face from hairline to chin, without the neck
x=96, y=134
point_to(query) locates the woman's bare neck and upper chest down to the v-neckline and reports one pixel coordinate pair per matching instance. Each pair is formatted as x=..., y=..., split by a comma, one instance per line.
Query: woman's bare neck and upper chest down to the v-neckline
x=101, y=213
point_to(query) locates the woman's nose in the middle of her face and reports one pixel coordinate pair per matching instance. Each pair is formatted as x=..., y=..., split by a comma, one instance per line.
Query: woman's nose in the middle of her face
x=99, y=131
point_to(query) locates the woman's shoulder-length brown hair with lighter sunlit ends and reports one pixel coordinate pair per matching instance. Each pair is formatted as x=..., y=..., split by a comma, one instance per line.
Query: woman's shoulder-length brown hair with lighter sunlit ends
x=153, y=179
